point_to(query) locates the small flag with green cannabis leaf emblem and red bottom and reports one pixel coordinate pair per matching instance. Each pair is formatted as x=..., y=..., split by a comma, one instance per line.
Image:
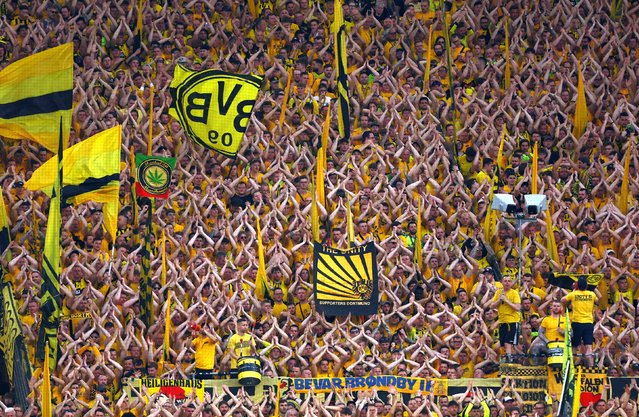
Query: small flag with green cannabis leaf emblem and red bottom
x=153, y=175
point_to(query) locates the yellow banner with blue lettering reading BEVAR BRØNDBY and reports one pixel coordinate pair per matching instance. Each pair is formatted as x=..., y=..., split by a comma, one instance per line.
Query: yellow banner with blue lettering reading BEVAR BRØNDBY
x=405, y=385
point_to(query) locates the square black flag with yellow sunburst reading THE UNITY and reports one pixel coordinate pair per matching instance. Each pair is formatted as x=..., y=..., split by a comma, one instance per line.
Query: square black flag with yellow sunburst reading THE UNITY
x=345, y=281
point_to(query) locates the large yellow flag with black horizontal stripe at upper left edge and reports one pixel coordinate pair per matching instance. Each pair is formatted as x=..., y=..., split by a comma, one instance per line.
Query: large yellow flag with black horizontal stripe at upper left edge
x=35, y=92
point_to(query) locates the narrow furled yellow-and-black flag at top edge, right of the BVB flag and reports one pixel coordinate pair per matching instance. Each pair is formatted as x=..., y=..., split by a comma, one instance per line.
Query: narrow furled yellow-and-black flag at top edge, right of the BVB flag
x=338, y=28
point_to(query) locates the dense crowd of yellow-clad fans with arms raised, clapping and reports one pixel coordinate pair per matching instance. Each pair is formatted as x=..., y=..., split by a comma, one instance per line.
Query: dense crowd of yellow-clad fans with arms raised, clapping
x=411, y=144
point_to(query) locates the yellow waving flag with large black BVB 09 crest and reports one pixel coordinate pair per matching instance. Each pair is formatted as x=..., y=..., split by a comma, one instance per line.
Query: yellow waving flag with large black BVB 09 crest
x=214, y=107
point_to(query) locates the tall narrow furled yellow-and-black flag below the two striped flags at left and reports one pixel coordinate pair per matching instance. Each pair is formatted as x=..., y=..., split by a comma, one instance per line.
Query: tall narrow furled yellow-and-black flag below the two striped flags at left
x=50, y=301
